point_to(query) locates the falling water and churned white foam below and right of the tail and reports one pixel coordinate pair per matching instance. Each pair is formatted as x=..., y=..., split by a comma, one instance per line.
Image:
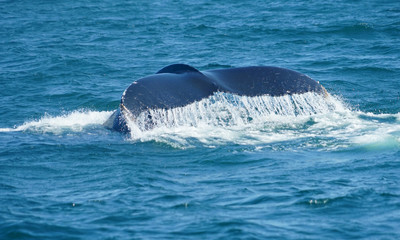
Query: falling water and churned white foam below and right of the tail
x=304, y=120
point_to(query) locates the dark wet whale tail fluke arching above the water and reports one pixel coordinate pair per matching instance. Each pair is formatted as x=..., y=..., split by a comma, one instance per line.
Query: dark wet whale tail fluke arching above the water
x=179, y=85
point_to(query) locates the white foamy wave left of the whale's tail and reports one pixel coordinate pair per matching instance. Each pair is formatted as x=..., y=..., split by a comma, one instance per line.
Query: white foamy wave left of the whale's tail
x=74, y=121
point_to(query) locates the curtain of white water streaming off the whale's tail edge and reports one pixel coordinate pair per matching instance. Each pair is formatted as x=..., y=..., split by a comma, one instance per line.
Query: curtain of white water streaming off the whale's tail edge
x=223, y=109
